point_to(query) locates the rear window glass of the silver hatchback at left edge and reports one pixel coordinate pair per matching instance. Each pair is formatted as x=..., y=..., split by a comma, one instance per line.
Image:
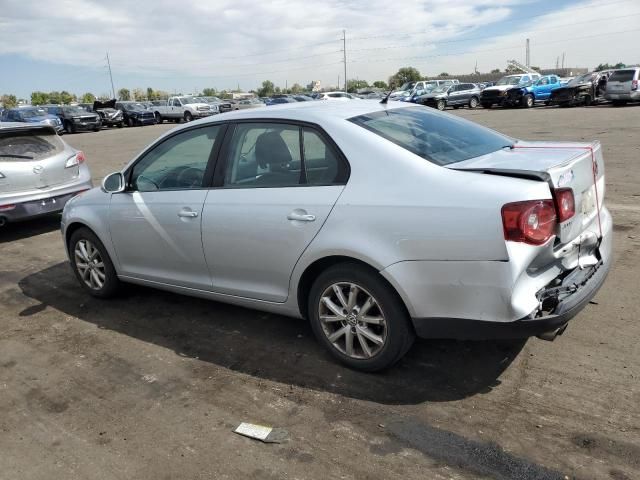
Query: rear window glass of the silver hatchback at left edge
x=27, y=146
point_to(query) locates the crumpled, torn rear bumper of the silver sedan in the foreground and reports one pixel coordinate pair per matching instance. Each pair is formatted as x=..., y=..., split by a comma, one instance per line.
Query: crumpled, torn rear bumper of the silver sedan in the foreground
x=486, y=299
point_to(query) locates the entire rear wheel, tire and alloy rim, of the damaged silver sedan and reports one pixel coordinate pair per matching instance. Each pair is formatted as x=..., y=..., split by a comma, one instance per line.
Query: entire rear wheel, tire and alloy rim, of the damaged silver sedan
x=358, y=317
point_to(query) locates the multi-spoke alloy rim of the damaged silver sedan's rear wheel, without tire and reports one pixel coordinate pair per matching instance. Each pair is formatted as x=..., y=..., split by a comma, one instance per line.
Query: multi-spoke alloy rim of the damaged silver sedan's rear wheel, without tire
x=352, y=320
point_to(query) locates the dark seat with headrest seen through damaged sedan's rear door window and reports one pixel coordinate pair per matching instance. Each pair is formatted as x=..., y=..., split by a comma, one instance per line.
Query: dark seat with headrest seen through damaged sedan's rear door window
x=273, y=154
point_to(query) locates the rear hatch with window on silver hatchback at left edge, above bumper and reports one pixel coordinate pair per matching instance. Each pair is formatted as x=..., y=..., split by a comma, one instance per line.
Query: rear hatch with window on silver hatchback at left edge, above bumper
x=32, y=159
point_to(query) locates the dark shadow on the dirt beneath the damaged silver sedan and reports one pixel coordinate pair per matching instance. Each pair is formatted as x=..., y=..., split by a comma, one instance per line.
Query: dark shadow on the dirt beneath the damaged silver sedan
x=271, y=346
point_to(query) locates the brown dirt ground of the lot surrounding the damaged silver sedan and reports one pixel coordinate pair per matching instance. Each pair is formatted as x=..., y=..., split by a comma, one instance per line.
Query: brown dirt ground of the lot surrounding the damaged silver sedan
x=149, y=386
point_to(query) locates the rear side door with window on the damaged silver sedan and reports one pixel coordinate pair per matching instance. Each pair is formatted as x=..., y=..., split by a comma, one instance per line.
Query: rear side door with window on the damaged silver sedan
x=276, y=184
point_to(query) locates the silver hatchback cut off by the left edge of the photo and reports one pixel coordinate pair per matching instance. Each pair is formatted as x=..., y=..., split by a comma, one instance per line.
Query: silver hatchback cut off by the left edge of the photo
x=39, y=172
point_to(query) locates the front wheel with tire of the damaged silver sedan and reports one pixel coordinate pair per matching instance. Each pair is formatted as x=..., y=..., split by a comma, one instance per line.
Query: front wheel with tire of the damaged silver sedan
x=91, y=264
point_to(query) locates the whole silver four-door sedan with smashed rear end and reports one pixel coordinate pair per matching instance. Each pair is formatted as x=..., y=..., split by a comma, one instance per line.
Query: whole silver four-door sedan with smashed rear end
x=375, y=222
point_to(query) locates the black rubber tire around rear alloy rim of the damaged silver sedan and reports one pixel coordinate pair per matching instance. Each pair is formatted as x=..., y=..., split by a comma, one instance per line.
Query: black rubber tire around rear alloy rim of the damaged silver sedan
x=399, y=331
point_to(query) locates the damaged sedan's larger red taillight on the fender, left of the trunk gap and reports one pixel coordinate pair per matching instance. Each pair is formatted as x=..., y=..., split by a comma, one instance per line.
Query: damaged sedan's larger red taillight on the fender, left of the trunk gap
x=532, y=222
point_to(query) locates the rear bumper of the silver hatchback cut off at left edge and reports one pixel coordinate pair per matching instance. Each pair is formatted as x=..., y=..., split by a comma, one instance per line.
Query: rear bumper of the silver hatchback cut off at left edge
x=32, y=205
